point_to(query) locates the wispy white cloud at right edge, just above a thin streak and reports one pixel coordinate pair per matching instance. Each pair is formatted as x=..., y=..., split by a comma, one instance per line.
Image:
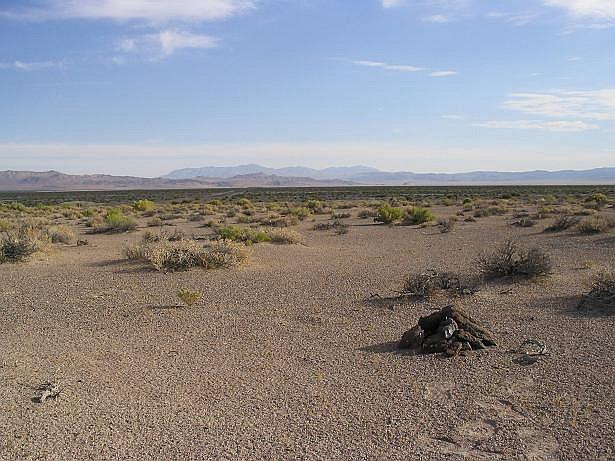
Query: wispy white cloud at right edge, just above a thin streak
x=591, y=104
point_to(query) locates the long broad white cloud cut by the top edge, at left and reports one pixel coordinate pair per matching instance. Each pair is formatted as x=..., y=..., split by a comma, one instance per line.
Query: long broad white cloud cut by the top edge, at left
x=146, y=10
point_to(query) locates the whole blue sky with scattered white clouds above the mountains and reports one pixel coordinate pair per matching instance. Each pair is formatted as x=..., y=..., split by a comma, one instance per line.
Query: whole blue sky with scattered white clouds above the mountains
x=142, y=87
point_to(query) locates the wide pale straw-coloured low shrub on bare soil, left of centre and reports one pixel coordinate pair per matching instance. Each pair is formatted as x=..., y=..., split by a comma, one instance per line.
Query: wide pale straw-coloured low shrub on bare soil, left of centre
x=169, y=256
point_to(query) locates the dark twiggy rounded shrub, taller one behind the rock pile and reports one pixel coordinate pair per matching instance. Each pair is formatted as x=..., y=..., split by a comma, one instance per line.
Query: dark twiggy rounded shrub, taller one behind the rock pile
x=509, y=260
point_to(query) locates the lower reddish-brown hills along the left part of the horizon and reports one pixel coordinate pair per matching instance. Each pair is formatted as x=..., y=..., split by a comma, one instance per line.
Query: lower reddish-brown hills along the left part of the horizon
x=54, y=181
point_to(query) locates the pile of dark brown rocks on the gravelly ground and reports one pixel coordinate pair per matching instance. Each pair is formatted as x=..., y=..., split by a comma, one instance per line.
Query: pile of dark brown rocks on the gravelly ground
x=449, y=330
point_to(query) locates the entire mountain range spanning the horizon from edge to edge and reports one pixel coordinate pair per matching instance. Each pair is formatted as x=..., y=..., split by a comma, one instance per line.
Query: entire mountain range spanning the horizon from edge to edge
x=260, y=176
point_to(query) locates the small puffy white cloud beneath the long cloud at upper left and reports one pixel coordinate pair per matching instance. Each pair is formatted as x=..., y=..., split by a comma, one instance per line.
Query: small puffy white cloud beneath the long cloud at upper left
x=164, y=43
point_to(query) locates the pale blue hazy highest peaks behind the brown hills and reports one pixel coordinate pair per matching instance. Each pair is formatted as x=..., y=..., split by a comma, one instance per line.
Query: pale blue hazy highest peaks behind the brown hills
x=296, y=171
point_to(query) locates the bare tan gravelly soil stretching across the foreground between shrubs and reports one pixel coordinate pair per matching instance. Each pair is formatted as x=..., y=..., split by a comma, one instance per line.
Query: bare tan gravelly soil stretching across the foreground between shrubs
x=284, y=359
